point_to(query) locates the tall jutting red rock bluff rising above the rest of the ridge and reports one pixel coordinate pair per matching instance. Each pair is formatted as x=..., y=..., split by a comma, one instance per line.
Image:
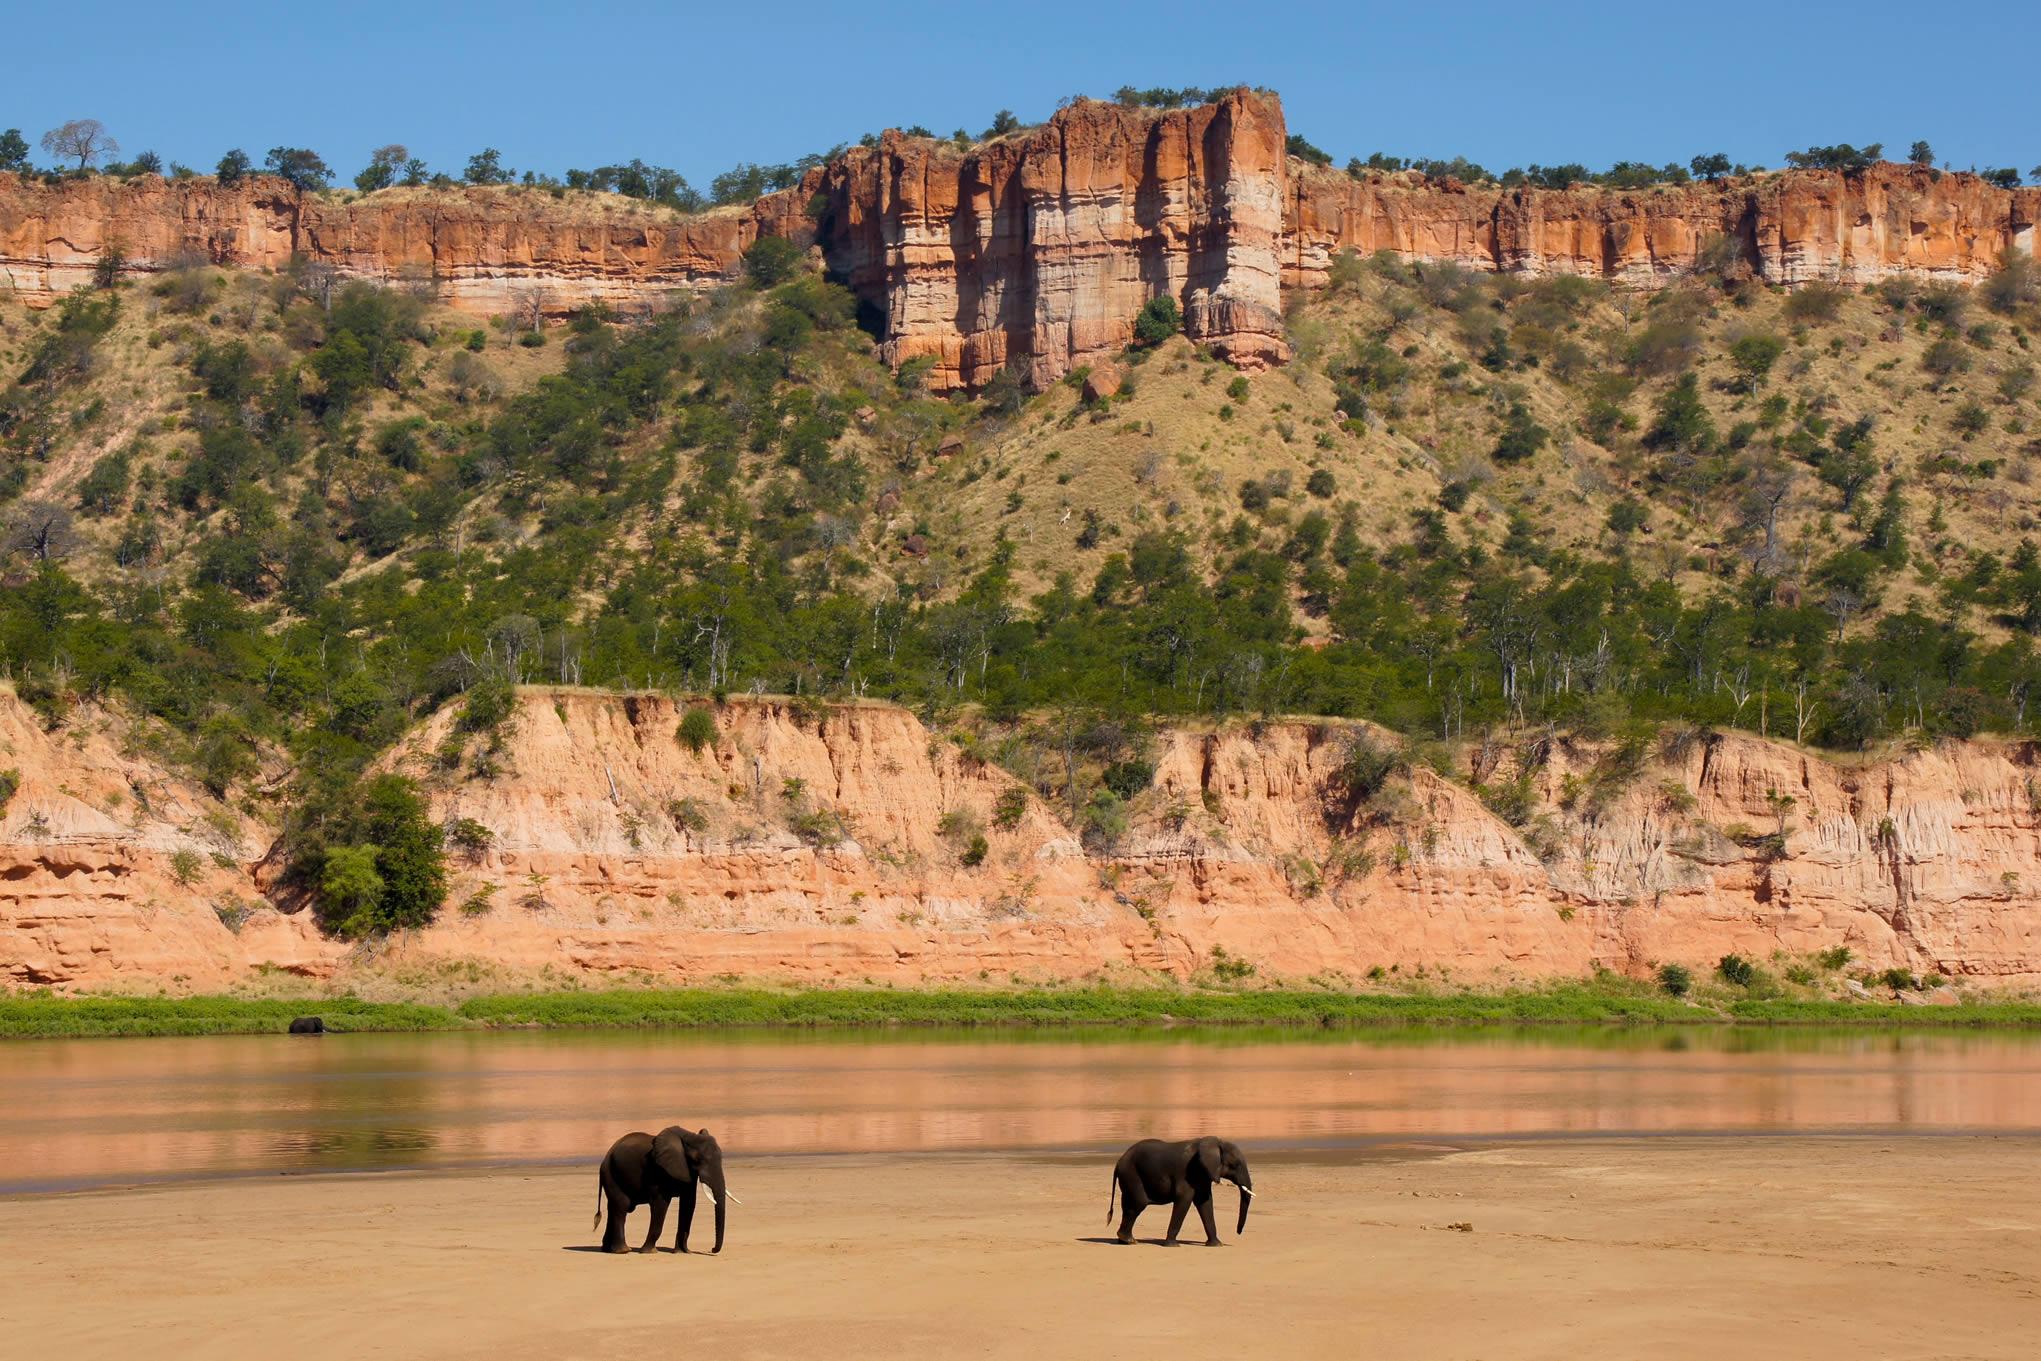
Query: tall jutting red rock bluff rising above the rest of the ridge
x=1042, y=248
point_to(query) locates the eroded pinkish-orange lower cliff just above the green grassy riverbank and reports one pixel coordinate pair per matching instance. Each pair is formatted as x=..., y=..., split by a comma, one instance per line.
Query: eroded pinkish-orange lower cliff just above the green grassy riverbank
x=838, y=844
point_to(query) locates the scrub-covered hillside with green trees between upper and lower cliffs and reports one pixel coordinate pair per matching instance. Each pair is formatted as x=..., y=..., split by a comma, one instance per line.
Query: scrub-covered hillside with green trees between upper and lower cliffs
x=285, y=517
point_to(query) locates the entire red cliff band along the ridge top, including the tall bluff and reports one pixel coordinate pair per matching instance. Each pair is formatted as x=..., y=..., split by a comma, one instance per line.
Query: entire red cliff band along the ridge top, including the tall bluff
x=1034, y=250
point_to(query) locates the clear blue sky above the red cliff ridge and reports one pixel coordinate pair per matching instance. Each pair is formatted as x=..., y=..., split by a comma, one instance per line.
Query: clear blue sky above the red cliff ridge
x=705, y=87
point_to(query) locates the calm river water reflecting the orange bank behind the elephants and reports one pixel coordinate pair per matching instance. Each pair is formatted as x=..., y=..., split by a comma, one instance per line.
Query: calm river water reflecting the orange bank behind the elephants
x=81, y=1113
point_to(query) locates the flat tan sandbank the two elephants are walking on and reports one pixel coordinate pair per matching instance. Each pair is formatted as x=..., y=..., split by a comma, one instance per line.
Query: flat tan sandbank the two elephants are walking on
x=1669, y=1248
